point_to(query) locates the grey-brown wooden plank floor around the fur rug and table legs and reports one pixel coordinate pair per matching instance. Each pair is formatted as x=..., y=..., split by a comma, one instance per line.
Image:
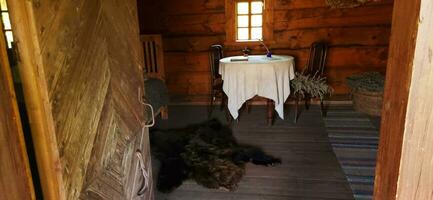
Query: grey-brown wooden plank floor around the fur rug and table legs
x=309, y=168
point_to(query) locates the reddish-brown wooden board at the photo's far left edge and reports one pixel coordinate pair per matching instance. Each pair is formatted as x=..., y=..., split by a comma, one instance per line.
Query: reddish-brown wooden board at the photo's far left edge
x=15, y=176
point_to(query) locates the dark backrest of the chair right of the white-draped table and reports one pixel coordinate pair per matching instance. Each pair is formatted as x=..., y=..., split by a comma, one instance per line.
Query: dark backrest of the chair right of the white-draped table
x=317, y=60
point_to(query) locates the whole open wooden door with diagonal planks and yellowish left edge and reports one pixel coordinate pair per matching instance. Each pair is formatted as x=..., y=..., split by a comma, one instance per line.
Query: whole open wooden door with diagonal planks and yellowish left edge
x=81, y=63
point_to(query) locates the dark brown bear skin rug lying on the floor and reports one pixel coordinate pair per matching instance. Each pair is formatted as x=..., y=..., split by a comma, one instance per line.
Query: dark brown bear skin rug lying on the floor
x=207, y=153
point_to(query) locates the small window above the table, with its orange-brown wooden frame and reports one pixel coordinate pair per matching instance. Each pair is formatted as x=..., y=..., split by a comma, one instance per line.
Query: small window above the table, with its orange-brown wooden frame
x=248, y=21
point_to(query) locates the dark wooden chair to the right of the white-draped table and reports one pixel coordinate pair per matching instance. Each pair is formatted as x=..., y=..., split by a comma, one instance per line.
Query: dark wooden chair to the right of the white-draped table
x=315, y=66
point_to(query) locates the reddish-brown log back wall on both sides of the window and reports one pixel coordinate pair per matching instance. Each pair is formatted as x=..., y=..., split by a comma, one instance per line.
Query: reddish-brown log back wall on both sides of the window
x=359, y=37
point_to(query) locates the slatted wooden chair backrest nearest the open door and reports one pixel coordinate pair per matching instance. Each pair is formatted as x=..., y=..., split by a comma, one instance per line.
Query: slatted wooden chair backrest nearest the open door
x=153, y=56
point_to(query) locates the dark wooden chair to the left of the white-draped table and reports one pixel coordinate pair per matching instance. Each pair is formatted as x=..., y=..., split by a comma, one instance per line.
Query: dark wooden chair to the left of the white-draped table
x=215, y=54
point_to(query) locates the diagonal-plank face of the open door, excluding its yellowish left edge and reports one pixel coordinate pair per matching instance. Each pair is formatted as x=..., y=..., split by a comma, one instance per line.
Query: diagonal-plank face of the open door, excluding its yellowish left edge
x=92, y=59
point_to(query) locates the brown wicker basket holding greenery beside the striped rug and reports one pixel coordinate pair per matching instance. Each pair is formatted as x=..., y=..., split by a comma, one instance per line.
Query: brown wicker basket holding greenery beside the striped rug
x=368, y=102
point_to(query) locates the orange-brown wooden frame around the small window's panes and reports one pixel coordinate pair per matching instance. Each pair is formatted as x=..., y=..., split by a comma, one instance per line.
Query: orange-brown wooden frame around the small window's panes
x=231, y=22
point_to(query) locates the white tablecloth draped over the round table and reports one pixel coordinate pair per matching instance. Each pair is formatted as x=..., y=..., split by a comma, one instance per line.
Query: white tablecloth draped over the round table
x=262, y=76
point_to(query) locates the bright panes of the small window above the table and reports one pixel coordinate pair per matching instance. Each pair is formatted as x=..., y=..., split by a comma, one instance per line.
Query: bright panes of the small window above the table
x=249, y=20
